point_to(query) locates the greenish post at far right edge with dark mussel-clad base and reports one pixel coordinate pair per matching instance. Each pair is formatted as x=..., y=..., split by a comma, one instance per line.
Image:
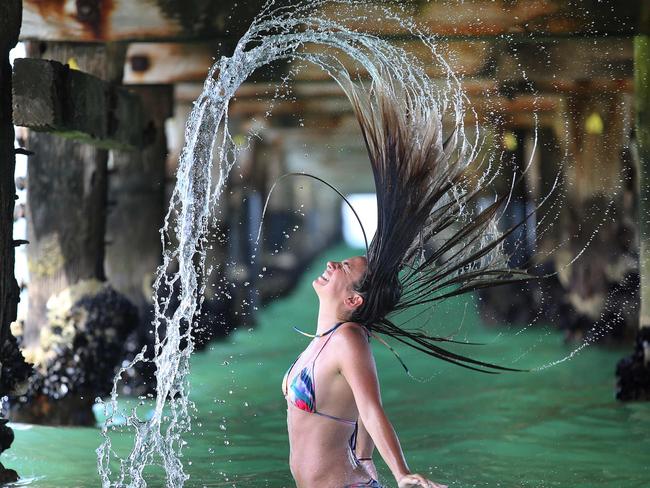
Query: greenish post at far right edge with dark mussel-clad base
x=633, y=372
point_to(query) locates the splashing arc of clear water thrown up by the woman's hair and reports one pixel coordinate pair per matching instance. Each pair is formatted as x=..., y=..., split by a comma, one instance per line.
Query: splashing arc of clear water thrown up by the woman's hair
x=277, y=33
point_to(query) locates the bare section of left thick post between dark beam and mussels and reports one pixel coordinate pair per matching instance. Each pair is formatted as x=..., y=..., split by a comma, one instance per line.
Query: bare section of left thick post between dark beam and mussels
x=66, y=206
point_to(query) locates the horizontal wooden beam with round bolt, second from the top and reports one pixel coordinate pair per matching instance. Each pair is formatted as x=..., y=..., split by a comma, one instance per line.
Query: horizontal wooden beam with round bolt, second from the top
x=562, y=61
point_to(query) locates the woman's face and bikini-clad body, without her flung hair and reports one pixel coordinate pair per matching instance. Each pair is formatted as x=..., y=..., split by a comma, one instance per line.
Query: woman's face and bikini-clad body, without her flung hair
x=334, y=415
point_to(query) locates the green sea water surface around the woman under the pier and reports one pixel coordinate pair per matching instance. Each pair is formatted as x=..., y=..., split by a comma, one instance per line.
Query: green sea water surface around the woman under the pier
x=559, y=427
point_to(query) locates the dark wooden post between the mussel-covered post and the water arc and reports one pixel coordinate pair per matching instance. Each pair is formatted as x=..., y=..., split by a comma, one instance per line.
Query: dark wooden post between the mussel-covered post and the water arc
x=137, y=188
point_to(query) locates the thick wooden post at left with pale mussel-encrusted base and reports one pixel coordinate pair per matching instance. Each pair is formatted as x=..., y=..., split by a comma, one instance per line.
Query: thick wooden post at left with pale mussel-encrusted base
x=76, y=322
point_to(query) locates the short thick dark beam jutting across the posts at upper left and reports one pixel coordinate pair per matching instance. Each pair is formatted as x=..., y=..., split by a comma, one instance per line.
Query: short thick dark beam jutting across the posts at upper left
x=51, y=97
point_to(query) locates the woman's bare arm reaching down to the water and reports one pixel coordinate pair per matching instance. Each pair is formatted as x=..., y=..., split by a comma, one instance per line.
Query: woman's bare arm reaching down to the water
x=358, y=367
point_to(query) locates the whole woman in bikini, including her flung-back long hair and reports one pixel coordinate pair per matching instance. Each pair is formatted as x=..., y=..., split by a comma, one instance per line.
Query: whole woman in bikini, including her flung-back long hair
x=429, y=245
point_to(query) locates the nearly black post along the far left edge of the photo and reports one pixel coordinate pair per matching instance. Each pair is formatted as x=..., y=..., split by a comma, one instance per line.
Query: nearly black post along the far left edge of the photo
x=12, y=364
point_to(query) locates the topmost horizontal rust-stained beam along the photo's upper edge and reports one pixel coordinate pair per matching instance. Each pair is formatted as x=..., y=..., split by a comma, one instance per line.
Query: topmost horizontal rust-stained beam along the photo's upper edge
x=173, y=20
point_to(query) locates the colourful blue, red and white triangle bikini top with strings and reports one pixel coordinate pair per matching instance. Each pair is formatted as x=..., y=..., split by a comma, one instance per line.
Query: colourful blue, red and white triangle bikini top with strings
x=302, y=390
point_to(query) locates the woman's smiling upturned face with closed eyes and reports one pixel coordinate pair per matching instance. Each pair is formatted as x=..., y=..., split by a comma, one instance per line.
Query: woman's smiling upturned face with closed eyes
x=338, y=280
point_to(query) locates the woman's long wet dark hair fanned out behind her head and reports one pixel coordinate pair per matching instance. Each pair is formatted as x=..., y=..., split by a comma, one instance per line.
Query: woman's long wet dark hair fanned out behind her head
x=429, y=244
